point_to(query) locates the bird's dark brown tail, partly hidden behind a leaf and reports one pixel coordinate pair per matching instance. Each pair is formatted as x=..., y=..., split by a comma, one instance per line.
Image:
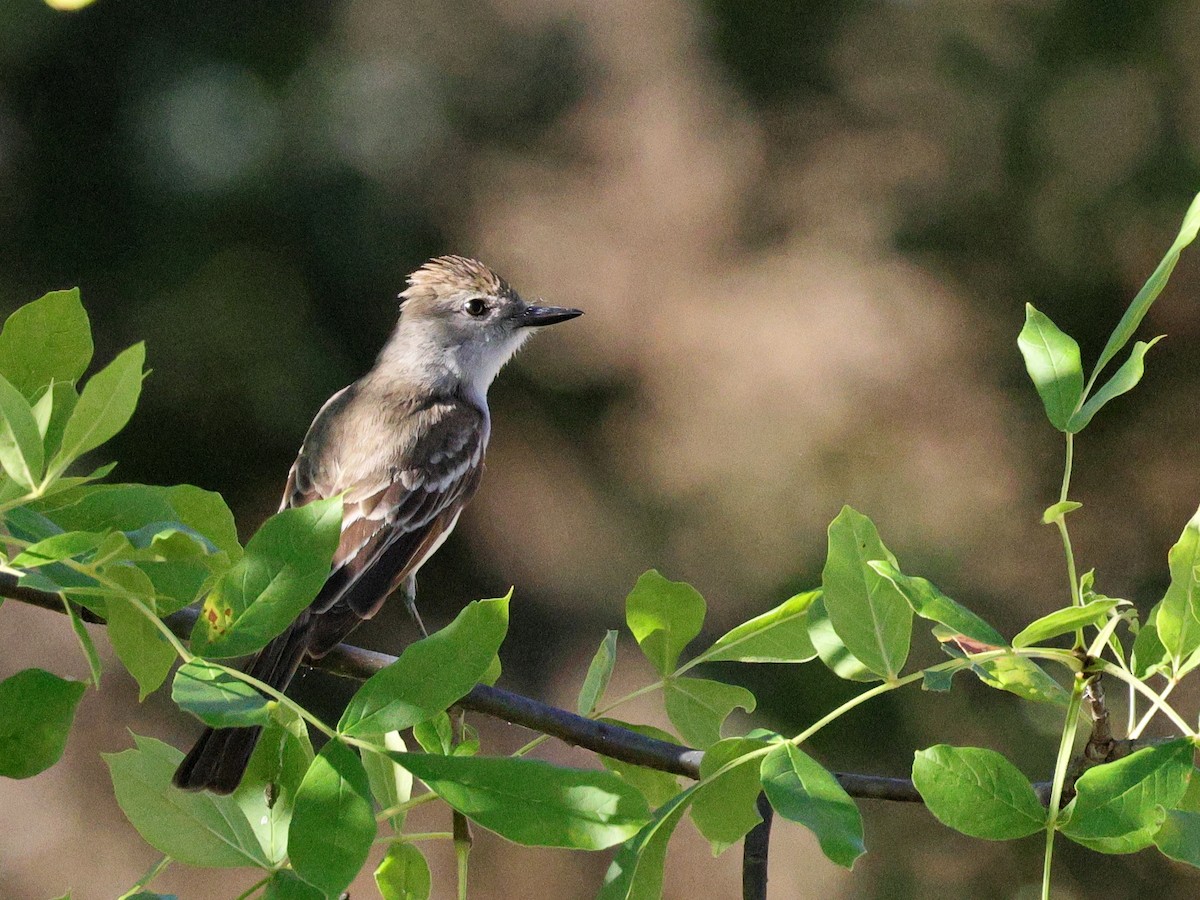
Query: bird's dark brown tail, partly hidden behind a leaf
x=219, y=759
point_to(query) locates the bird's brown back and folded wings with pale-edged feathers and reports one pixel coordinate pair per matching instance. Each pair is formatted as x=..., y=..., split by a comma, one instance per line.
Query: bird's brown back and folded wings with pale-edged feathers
x=401, y=497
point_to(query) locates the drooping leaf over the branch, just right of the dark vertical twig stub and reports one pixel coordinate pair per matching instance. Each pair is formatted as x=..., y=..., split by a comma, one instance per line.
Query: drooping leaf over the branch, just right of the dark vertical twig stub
x=801, y=790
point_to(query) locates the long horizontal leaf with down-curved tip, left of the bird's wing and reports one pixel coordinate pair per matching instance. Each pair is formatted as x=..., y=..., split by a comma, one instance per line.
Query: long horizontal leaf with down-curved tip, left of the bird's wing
x=130, y=508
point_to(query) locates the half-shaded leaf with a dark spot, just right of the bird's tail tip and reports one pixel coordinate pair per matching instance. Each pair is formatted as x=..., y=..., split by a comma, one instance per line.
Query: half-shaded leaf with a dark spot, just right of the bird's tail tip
x=268, y=790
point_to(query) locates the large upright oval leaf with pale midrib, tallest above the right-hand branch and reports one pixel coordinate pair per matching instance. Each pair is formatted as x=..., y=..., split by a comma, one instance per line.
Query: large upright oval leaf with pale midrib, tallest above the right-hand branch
x=868, y=613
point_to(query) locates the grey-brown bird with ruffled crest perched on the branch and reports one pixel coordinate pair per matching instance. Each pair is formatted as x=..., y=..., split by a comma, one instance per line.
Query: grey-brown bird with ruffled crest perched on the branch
x=405, y=445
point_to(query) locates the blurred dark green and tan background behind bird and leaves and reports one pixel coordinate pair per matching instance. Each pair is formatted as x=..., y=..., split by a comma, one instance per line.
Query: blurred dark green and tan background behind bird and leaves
x=803, y=232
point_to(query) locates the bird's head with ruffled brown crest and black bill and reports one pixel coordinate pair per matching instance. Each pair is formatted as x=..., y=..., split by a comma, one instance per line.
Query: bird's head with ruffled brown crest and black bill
x=459, y=315
